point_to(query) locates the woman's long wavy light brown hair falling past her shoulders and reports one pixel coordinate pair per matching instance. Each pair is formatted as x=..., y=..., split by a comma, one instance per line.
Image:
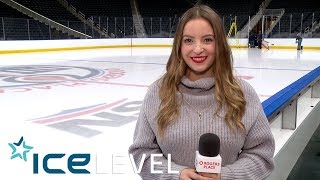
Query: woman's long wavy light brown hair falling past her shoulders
x=227, y=90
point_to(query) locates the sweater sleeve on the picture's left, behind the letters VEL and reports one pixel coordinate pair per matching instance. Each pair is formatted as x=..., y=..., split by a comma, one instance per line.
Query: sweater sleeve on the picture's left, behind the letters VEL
x=145, y=143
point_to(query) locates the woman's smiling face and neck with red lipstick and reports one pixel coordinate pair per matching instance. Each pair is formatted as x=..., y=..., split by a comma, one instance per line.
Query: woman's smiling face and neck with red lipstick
x=198, y=48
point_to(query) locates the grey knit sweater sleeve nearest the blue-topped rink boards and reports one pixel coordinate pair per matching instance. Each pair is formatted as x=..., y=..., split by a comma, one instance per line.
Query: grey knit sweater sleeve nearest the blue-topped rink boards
x=256, y=158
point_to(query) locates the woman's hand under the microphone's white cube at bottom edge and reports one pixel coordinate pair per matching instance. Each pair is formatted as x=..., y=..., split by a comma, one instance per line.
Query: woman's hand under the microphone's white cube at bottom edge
x=191, y=174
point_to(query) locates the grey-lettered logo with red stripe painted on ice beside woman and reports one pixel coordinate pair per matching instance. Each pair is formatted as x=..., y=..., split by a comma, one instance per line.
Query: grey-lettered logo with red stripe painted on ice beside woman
x=114, y=114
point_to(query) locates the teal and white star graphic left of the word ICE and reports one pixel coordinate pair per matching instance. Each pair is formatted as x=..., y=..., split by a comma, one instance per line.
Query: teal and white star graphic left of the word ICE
x=20, y=149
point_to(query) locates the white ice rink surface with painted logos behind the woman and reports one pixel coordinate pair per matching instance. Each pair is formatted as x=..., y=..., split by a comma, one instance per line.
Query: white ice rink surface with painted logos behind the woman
x=88, y=102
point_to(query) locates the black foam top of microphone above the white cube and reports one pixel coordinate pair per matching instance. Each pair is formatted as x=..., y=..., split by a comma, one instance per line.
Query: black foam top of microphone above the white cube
x=209, y=145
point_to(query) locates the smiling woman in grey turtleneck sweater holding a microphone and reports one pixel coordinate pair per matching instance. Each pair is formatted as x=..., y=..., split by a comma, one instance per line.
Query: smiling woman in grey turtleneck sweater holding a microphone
x=199, y=94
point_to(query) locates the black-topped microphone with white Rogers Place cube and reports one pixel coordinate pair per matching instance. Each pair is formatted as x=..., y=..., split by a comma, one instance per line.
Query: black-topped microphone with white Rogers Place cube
x=208, y=159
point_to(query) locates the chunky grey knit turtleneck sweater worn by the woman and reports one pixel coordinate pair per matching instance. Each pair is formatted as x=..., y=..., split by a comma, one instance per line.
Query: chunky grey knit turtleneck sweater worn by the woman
x=244, y=156
